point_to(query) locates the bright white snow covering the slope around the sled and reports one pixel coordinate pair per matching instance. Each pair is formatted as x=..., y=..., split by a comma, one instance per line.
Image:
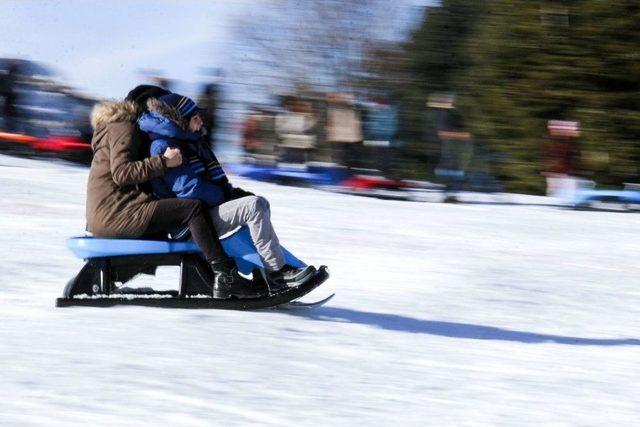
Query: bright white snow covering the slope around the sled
x=484, y=313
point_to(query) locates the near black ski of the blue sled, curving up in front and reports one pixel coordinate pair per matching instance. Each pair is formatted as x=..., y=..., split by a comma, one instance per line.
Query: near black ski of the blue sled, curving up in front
x=168, y=301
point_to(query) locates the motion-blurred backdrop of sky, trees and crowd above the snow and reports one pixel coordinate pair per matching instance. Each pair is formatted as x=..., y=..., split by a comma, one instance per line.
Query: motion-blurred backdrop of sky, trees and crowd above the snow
x=365, y=96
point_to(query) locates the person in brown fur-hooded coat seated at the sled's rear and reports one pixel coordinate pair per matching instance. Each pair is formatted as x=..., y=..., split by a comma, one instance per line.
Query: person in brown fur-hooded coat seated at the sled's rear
x=119, y=198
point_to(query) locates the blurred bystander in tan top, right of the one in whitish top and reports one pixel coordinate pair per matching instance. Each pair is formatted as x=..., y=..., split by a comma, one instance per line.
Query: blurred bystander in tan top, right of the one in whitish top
x=344, y=128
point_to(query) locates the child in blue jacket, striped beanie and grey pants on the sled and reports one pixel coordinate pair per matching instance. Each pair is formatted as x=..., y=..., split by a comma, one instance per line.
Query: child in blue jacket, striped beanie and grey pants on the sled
x=173, y=121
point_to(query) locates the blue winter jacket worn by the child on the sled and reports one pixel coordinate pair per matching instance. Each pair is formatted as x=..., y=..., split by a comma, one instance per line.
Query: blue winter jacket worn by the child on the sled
x=191, y=180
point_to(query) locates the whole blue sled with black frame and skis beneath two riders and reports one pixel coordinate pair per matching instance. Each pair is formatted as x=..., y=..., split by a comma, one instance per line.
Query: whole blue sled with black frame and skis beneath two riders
x=116, y=261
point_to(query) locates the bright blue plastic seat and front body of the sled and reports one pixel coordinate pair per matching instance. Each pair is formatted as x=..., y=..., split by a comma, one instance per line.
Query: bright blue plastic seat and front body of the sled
x=238, y=245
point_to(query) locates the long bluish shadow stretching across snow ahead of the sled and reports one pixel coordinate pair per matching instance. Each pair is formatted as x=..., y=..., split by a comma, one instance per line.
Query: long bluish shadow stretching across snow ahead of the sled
x=394, y=322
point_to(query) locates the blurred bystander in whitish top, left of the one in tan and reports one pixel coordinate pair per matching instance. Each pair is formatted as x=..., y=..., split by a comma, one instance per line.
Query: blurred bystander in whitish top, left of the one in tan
x=295, y=127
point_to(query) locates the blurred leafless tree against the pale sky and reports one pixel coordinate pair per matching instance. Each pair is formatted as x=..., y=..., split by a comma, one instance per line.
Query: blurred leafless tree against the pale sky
x=307, y=45
